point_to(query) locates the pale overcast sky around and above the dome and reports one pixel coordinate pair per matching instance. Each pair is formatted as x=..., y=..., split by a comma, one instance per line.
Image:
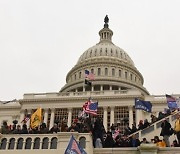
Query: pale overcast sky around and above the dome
x=41, y=40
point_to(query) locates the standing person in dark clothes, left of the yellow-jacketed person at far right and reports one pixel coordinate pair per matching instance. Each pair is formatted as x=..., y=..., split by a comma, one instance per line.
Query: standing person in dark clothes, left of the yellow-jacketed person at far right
x=165, y=131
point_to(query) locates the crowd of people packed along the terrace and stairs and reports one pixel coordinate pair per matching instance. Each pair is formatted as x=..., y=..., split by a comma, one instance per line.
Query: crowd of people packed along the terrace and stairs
x=114, y=137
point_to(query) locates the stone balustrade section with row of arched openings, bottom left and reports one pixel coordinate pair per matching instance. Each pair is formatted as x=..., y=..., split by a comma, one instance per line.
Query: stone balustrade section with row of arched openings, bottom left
x=43, y=143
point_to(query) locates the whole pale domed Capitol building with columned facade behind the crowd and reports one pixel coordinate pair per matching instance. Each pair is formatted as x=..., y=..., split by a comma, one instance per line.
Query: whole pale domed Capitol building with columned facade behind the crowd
x=117, y=83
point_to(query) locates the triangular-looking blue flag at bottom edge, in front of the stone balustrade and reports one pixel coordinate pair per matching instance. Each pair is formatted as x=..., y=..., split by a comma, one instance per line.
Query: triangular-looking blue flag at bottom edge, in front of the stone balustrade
x=74, y=148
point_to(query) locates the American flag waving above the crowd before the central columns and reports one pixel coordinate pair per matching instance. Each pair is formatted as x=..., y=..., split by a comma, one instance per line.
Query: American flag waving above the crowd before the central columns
x=90, y=107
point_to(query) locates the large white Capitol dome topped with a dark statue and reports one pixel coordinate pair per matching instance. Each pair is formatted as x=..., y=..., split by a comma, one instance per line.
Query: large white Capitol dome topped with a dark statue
x=112, y=67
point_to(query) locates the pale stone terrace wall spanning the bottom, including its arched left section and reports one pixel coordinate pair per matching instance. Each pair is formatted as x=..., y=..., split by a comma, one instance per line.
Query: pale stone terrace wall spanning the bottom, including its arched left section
x=57, y=143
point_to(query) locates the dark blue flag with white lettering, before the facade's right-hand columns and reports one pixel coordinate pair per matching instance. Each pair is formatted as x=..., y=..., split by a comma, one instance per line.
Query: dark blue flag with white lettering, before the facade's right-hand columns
x=143, y=105
